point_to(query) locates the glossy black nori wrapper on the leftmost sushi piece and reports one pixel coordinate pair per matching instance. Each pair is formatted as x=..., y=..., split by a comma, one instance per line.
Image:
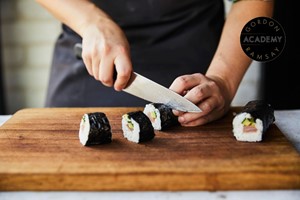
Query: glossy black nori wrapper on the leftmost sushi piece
x=100, y=130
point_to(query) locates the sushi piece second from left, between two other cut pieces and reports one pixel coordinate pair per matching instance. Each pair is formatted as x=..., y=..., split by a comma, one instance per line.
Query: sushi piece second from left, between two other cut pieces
x=137, y=127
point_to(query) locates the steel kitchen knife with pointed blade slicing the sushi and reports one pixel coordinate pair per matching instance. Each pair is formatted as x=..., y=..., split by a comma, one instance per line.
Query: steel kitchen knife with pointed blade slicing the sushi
x=151, y=91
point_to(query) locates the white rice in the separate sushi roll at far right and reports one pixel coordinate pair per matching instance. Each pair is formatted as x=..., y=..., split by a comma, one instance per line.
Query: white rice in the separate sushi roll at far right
x=238, y=129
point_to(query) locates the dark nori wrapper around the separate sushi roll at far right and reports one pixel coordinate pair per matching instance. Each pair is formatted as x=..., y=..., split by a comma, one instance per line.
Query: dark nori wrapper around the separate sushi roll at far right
x=261, y=110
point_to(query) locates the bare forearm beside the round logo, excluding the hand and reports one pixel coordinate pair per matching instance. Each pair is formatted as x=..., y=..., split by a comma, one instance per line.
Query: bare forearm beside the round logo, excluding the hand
x=230, y=62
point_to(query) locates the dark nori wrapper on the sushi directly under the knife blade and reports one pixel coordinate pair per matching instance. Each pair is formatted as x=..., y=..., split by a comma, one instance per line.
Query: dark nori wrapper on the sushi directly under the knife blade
x=168, y=119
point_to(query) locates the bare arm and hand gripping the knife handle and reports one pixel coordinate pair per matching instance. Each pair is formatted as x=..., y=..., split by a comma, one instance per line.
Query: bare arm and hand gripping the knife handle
x=104, y=43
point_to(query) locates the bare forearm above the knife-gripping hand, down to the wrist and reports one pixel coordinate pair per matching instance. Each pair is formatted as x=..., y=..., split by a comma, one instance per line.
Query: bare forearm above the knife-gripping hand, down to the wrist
x=77, y=14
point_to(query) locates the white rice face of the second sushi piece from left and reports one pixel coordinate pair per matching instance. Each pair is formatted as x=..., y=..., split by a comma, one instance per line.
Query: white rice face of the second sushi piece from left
x=131, y=135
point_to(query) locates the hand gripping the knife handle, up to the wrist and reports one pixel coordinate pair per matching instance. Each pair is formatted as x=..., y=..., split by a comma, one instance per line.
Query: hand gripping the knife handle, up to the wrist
x=105, y=47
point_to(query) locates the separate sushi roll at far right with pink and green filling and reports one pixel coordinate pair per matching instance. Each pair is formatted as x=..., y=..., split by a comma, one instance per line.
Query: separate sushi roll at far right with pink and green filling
x=252, y=122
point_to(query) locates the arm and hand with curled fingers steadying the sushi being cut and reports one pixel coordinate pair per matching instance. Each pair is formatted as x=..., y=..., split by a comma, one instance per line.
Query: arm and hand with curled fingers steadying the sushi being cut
x=214, y=92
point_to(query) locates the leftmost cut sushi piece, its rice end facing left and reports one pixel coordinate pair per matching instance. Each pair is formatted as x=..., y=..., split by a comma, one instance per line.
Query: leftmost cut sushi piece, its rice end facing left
x=94, y=129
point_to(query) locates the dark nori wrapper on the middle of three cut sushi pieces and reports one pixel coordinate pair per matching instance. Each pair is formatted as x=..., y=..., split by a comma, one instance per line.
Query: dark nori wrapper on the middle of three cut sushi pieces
x=146, y=128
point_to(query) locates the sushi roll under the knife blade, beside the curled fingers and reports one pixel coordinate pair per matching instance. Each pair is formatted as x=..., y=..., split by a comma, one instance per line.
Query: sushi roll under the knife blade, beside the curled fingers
x=161, y=116
